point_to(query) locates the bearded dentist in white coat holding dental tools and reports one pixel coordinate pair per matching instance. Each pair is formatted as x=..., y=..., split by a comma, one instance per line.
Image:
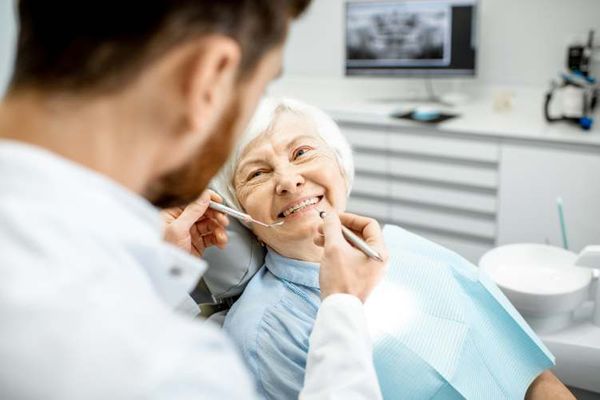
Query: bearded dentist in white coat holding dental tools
x=116, y=106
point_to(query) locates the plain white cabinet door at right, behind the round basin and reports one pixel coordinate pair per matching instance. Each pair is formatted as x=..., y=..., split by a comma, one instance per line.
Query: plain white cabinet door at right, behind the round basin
x=530, y=181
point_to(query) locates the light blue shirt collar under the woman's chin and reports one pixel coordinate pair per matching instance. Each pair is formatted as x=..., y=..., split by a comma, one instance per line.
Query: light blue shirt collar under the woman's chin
x=296, y=271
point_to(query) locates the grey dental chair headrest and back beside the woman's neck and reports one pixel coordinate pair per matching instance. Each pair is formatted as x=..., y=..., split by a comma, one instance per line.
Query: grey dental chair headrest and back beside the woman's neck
x=229, y=272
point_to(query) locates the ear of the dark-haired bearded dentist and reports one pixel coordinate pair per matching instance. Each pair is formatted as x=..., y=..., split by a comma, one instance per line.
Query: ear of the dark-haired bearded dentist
x=209, y=81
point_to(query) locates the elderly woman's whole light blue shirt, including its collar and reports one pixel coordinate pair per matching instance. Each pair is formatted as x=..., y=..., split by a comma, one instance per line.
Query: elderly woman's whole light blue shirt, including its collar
x=272, y=322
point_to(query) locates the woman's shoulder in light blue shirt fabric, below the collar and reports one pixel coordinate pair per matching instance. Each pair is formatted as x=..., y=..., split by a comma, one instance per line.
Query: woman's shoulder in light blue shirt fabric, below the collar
x=271, y=327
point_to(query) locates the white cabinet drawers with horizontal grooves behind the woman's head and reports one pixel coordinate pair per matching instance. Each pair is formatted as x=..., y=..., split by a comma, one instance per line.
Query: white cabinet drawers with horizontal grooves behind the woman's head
x=439, y=186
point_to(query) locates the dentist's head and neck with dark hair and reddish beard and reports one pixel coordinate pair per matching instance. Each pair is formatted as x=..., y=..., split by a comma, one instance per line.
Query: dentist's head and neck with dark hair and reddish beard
x=150, y=93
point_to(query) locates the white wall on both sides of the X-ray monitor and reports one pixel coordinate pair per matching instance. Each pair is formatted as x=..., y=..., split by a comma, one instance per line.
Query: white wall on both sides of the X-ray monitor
x=522, y=42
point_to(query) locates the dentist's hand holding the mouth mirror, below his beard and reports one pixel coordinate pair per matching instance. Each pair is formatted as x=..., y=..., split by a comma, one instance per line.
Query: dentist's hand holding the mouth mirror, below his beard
x=196, y=227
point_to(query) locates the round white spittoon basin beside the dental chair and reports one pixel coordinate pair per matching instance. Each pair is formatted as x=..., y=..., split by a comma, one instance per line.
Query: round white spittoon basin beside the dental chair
x=541, y=281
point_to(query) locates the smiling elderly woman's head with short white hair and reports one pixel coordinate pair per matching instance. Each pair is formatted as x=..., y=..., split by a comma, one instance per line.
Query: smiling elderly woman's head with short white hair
x=291, y=162
